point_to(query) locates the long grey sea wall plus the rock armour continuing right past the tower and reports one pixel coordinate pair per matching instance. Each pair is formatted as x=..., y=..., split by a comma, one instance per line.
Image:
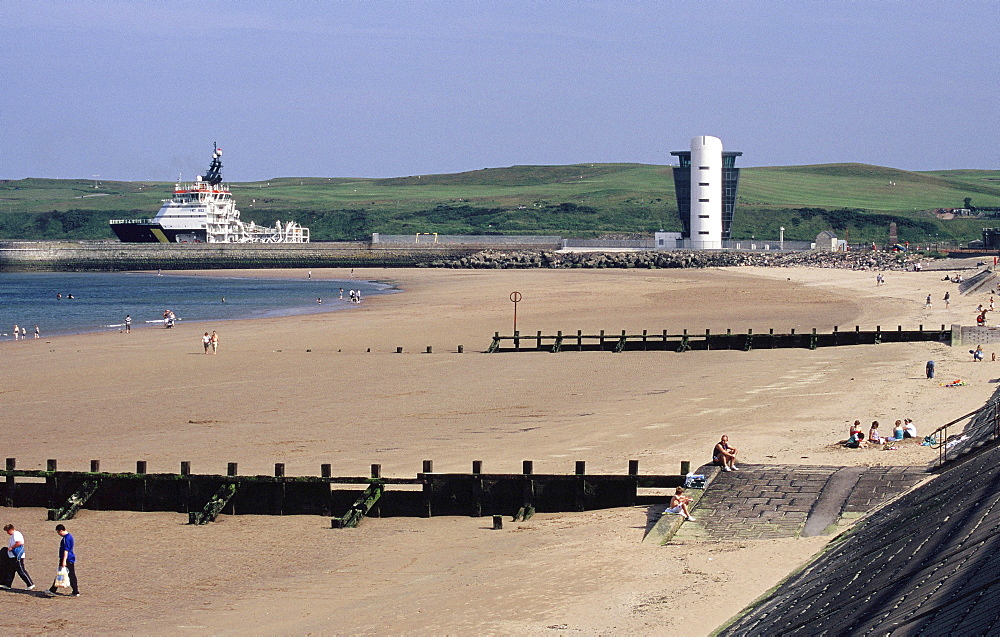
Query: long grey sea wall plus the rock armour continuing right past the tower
x=110, y=256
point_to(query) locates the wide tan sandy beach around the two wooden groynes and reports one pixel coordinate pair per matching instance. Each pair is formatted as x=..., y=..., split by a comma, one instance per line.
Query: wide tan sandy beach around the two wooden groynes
x=330, y=388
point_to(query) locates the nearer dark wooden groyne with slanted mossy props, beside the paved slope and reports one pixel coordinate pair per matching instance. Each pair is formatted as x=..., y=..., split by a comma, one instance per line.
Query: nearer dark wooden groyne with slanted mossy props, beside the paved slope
x=344, y=499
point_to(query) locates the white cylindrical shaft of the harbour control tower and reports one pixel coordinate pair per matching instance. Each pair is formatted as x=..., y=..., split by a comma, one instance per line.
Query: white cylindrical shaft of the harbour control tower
x=706, y=193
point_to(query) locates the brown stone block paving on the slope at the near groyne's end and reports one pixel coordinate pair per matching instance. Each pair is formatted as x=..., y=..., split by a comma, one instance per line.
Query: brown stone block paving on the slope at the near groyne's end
x=773, y=501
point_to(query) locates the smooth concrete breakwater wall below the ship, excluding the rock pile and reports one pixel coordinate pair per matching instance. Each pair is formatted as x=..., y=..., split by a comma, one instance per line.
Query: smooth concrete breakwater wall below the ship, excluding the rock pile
x=20, y=256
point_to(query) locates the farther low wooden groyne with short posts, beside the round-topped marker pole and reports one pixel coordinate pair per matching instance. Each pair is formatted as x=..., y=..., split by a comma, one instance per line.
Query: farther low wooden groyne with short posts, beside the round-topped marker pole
x=664, y=341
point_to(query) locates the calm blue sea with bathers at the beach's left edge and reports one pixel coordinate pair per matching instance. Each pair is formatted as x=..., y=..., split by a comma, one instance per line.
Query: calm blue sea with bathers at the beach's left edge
x=101, y=300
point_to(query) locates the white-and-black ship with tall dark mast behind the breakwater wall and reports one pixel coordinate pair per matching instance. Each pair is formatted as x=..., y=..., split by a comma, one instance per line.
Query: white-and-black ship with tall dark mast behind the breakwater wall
x=204, y=212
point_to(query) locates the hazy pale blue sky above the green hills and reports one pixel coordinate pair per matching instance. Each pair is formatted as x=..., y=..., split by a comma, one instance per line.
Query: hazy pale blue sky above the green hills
x=138, y=91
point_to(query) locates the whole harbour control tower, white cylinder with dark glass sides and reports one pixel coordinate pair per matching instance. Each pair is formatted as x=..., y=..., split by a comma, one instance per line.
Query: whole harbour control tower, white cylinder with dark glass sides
x=705, y=182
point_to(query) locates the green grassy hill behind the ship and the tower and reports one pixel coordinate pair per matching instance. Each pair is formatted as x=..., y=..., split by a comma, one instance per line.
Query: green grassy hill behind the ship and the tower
x=582, y=200
